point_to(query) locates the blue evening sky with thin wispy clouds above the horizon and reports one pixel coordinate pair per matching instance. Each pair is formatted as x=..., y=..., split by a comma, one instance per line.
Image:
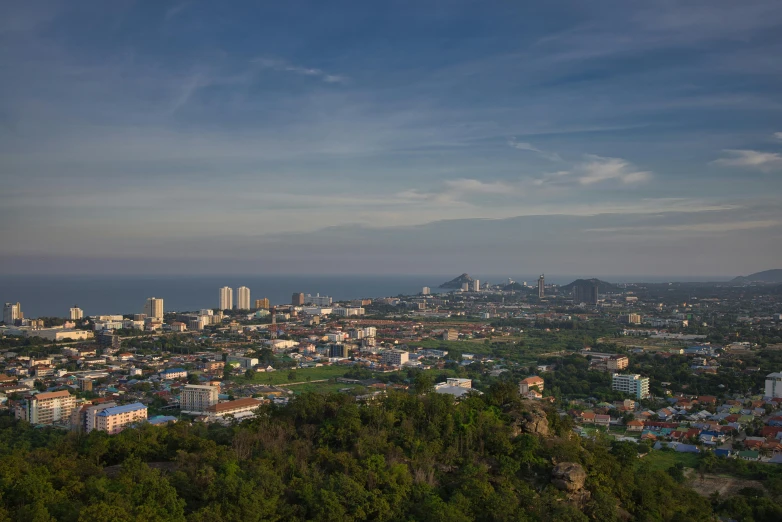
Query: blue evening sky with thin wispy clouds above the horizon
x=421, y=137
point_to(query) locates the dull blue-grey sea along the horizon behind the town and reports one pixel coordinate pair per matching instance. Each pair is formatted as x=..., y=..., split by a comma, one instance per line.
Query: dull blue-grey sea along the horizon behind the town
x=52, y=295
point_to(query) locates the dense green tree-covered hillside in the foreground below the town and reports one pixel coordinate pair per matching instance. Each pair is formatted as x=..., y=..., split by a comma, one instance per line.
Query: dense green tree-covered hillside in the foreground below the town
x=326, y=457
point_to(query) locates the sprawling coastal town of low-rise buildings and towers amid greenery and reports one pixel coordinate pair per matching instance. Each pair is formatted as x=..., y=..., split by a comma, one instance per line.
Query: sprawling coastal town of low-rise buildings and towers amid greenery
x=691, y=368
